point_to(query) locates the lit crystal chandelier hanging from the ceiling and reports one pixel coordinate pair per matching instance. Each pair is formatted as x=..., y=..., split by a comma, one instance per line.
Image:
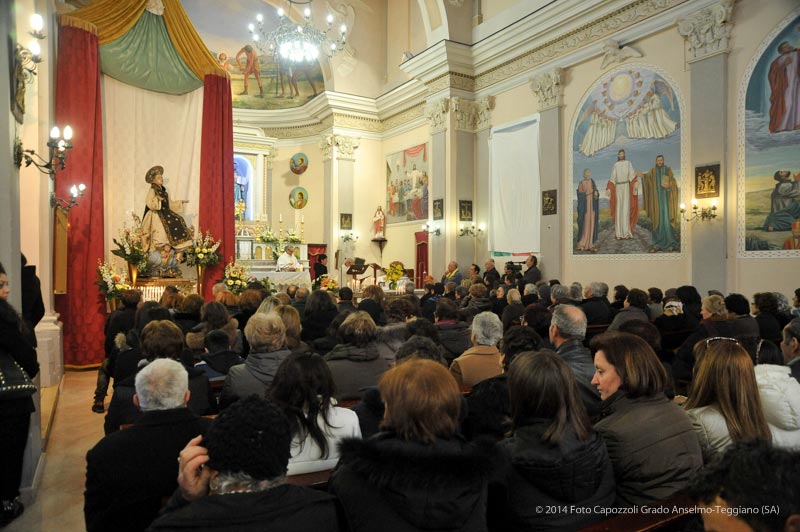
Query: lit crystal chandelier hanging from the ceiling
x=297, y=42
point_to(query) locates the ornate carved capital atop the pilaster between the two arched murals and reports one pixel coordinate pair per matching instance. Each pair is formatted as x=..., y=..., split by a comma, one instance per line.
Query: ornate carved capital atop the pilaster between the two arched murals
x=708, y=31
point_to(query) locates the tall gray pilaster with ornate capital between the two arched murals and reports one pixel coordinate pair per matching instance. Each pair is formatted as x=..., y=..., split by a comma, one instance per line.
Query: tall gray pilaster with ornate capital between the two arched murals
x=707, y=33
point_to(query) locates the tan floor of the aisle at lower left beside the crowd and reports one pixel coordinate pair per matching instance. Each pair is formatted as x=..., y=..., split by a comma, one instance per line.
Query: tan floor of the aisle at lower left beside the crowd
x=59, y=502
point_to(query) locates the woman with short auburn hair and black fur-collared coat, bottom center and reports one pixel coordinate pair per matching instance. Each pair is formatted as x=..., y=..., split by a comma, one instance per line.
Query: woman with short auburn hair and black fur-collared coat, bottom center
x=418, y=474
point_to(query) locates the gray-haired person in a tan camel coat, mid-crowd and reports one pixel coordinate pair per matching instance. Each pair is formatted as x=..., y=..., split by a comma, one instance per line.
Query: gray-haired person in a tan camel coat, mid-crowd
x=483, y=359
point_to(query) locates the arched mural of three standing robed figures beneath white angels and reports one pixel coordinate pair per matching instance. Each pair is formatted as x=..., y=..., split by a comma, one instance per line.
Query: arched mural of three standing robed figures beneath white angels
x=626, y=166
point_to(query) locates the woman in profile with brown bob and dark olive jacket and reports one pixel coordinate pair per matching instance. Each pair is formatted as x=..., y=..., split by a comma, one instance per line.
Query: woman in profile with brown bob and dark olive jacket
x=649, y=438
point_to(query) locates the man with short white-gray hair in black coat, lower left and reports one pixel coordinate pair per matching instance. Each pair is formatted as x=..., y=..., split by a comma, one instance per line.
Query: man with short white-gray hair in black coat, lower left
x=130, y=472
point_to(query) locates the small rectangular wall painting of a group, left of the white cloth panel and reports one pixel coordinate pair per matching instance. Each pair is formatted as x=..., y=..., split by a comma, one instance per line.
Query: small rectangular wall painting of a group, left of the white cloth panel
x=407, y=185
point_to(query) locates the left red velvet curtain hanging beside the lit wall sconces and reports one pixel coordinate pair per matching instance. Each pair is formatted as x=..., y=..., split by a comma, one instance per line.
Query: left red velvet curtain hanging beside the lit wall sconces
x=78, y=103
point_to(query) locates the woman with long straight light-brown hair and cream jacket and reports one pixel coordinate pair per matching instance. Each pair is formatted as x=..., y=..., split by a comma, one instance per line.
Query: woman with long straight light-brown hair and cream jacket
x=724, y=402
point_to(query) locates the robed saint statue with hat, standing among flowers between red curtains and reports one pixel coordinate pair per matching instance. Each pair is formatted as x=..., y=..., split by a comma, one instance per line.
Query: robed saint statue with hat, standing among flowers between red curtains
x=161, y=223
